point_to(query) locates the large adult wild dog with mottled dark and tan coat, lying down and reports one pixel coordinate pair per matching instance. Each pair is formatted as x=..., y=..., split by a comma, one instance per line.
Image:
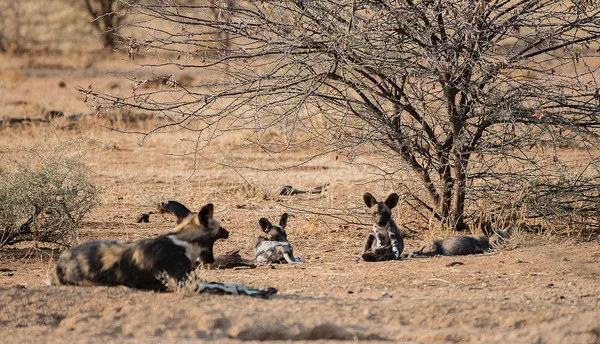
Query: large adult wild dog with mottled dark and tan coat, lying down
x=138, y=264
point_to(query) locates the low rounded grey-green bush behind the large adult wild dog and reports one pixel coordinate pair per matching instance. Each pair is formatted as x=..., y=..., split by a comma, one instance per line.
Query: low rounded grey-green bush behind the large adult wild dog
x=44, y=198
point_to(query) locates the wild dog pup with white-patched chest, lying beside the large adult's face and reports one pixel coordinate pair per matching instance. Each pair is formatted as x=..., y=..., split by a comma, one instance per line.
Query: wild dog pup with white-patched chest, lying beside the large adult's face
x=272, y=245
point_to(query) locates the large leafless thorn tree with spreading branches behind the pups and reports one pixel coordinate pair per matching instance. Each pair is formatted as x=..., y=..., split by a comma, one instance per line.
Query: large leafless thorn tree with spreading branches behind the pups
x=474, y=98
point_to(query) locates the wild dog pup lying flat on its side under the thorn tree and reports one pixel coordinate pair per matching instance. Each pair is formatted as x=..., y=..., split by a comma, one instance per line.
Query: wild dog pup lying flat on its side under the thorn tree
x=463, y=245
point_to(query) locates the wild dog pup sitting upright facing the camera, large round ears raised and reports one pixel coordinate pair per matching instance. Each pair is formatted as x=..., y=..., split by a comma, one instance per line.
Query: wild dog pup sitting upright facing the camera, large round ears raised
x=386, y=242
